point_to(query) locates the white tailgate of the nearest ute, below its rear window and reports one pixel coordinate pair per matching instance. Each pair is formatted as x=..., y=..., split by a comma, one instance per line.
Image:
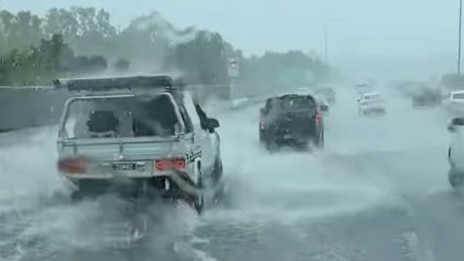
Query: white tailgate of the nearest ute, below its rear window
x=134, y=158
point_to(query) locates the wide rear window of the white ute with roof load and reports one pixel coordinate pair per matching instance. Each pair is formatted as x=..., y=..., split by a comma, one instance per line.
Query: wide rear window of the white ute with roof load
x=102, y=117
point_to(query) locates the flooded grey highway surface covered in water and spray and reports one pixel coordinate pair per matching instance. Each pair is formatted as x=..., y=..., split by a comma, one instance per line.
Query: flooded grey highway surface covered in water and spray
x=377, y=192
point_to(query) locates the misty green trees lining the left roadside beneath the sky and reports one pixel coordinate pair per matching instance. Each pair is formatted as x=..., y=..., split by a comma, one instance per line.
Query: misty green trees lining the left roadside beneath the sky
x=82, y=40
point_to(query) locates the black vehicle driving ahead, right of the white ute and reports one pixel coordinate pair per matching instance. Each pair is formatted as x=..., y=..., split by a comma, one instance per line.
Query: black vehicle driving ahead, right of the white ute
x=291, y=120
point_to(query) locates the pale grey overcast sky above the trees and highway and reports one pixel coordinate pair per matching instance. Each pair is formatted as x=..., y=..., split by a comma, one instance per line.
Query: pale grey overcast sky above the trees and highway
x=388, y=36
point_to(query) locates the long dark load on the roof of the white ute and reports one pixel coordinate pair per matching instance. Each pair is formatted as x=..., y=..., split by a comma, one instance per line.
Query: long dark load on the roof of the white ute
x=118, y=83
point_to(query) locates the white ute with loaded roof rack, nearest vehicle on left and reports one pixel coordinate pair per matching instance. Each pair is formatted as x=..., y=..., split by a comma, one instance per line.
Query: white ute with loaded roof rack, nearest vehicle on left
x=138, y=136
